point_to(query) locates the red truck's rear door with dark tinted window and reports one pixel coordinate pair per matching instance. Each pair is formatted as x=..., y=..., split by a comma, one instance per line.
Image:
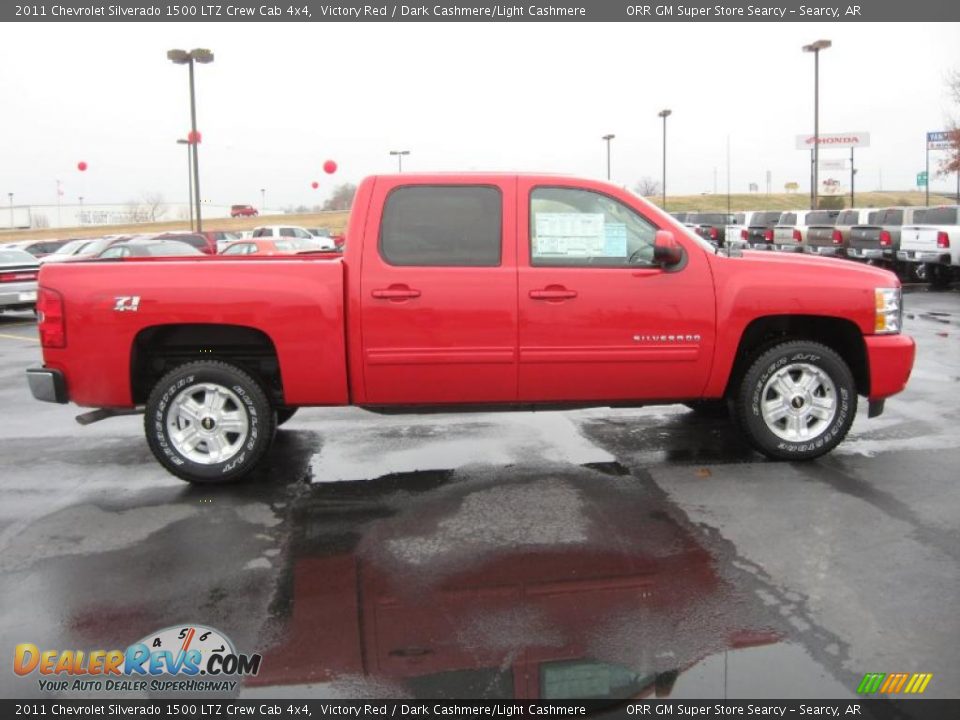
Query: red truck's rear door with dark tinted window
x=439, y=293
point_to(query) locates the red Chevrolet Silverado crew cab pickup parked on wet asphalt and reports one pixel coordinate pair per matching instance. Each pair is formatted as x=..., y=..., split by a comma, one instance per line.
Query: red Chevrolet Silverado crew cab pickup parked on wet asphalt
x=466, y=292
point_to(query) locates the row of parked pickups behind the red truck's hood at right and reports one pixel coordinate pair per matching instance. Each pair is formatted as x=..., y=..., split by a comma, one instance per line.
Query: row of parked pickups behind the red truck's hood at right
x=919, y=243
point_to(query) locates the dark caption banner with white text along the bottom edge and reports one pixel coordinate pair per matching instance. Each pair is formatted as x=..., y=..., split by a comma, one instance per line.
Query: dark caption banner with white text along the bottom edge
x=447, y=709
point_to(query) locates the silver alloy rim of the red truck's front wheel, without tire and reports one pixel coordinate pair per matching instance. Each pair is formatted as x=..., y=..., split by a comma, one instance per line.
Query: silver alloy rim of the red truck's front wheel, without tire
x=799, y=402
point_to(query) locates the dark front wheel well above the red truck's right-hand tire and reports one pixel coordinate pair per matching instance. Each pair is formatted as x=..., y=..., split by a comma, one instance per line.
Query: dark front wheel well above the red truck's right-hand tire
x=842, y=336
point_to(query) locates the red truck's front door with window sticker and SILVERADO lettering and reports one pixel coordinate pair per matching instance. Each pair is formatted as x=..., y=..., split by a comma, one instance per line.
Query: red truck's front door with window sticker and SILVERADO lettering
x=599, y=320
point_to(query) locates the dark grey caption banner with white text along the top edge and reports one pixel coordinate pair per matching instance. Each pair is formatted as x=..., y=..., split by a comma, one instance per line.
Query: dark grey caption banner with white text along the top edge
x=480, y=11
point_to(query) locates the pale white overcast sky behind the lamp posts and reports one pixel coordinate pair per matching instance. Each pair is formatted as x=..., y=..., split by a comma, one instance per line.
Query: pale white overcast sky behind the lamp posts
x=282, y=98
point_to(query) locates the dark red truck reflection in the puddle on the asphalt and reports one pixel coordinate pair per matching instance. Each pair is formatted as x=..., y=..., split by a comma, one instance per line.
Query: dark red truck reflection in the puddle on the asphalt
x=618, y=609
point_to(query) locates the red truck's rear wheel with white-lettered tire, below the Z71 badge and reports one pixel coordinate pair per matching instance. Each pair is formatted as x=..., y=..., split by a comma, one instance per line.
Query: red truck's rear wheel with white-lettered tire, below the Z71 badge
x=208, y=422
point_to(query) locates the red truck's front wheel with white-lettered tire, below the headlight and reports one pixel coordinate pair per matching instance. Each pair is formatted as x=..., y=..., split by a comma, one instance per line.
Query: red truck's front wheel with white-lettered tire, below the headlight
x=797, y=401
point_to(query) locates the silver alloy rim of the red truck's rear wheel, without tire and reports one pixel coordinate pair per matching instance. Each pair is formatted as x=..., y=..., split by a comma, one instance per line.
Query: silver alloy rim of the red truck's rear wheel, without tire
x=207, y=423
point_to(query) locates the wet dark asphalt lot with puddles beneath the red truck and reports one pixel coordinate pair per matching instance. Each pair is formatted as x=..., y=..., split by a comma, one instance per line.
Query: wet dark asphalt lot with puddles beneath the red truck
x=605, y=552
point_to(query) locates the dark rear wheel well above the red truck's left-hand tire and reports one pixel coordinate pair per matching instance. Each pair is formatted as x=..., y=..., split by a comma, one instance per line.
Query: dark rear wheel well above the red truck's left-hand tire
x=159, y=349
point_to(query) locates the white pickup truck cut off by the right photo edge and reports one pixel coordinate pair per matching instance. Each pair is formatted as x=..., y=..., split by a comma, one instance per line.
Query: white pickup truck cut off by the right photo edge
x=934, y=242
